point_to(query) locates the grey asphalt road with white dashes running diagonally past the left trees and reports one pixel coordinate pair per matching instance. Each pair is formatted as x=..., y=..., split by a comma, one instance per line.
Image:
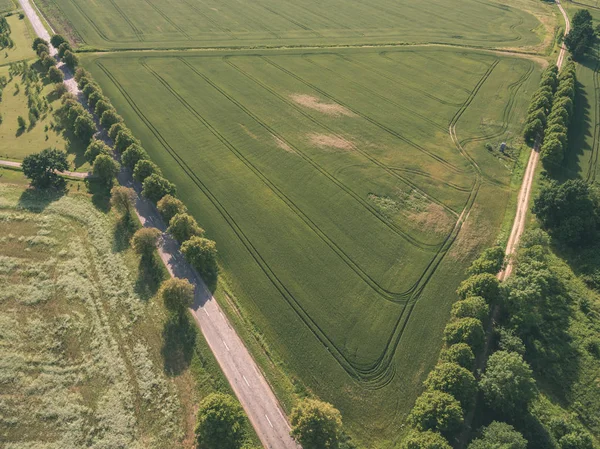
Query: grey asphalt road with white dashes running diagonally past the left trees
x=247, y=381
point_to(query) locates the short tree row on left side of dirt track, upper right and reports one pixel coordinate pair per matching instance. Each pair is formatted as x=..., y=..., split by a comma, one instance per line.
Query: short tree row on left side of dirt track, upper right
x=540, y=105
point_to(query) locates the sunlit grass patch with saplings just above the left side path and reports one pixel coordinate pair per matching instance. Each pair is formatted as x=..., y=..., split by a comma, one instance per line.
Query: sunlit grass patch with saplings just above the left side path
x=15, y=144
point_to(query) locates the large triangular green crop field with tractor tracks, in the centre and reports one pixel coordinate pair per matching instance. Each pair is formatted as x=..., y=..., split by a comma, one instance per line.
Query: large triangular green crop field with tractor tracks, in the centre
x=334, y=190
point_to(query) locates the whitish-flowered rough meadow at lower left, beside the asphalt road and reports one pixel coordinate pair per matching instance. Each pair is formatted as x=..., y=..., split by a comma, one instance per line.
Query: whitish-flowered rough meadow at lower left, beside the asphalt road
x=89, y=358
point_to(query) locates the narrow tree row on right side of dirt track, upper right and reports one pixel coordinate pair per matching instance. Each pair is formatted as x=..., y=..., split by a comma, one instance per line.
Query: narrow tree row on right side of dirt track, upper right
x=555, y=138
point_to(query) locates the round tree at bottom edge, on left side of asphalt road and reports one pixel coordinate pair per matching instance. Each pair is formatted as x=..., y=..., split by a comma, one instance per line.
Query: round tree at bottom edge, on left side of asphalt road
x=219, y=423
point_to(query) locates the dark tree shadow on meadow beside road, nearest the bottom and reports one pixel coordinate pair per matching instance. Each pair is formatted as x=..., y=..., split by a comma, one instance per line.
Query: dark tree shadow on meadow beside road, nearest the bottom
x=179, y=340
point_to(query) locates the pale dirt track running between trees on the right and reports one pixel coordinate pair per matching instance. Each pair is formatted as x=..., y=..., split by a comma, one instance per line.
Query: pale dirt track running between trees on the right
x=525, y=192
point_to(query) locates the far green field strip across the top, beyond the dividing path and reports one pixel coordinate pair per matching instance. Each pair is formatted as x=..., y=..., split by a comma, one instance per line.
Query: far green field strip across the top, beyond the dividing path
x=230, y=23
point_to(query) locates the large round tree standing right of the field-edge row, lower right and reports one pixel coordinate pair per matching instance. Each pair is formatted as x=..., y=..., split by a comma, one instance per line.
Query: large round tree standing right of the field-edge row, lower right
x=507, y=384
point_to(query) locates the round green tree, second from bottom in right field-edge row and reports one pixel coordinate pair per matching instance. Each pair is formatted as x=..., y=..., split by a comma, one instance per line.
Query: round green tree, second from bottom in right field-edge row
x=436, y=411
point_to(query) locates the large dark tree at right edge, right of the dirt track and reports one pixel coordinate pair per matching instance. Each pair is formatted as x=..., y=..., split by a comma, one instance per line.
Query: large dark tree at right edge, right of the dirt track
x=569, y=211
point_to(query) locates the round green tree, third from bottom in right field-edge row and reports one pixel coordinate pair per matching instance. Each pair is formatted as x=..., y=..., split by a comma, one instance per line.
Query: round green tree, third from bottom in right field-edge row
x=455, y=380
